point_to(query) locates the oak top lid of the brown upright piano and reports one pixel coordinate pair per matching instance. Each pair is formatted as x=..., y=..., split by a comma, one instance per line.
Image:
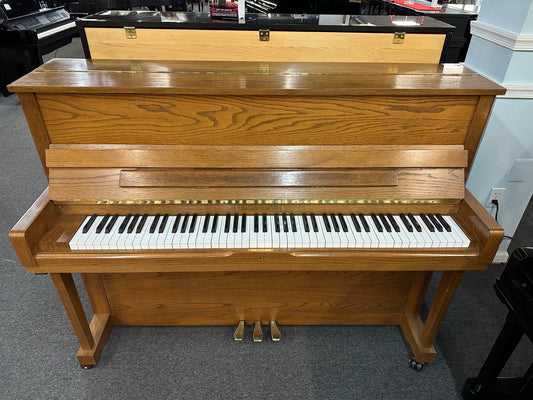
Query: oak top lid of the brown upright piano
x=254, y=78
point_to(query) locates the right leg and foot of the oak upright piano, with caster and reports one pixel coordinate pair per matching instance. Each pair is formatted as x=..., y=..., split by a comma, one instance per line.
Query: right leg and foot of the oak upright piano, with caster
x=420, y=335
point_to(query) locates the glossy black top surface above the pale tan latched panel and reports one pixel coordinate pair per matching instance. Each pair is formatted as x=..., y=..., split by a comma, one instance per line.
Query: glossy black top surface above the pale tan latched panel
x=279, y=22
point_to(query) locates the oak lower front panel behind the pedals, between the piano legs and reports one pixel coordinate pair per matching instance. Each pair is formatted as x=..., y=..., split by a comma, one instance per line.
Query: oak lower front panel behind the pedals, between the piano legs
x=224, y=298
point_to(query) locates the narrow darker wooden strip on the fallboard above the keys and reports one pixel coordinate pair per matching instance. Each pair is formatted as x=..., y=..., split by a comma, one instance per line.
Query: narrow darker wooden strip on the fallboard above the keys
x=182, y=178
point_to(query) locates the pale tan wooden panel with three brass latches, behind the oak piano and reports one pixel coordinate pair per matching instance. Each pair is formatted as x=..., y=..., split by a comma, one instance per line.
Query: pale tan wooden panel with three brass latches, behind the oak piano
x=233, y=45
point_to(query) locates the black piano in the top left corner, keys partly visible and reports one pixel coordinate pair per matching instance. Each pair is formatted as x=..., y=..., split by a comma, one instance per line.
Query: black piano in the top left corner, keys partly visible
x=29, y=29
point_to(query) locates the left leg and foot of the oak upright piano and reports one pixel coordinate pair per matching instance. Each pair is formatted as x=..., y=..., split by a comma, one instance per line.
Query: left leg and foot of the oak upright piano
x=92, y=337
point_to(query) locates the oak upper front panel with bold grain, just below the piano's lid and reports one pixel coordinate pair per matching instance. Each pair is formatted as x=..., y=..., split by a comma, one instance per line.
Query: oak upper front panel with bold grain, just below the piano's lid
x=259, y=120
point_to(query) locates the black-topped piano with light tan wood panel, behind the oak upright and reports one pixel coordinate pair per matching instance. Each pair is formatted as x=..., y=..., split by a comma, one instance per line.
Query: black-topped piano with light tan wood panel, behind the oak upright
x=142, y=35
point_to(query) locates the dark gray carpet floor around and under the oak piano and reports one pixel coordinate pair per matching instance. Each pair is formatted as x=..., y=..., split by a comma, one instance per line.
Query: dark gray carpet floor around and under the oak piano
x=38, y=346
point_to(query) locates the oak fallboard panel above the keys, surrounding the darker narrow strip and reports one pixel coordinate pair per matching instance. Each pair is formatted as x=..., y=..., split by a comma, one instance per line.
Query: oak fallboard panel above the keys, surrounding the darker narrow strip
x=96, y=183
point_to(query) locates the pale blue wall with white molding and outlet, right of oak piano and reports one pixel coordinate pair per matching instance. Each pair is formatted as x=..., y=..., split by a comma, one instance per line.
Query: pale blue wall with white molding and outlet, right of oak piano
x=502, y=50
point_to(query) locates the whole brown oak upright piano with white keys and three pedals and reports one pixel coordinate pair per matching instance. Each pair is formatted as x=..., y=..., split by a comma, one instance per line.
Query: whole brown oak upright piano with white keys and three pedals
x=216, y=193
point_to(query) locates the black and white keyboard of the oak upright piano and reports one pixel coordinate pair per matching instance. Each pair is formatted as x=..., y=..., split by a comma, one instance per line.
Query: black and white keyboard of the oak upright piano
x=262, y=231
